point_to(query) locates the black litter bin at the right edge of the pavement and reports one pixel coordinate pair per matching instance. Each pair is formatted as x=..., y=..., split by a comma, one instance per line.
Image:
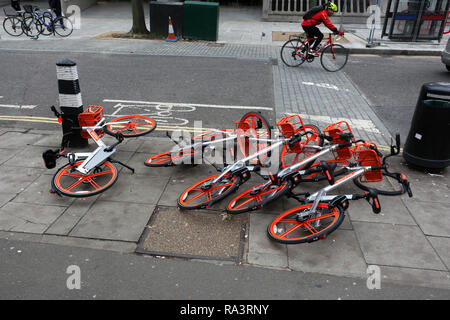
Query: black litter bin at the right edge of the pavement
x=428, y=142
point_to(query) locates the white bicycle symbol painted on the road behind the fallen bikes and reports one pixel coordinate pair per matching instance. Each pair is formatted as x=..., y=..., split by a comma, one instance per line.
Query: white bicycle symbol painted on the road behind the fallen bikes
x=165, y=114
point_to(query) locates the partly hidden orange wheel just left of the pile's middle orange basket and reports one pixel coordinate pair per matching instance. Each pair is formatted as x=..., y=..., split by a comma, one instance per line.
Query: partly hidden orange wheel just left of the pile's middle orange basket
x=301, y=150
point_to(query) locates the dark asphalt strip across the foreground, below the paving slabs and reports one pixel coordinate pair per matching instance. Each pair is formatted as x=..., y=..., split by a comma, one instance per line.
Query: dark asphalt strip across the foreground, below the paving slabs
x=27, y=274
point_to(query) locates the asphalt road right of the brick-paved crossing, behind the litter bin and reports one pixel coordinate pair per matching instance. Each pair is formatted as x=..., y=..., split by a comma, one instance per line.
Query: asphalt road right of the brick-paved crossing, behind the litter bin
x=392, y=84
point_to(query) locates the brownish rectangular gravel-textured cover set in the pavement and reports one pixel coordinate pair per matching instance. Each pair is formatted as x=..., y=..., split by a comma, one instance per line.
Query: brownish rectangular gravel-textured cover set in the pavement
x=201, y=234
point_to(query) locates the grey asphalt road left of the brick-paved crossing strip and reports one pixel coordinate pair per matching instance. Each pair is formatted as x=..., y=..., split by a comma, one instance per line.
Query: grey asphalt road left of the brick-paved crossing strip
x=135, y=84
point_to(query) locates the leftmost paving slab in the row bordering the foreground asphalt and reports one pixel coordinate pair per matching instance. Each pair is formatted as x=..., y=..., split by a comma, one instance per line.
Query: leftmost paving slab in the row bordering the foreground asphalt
x=30, y=218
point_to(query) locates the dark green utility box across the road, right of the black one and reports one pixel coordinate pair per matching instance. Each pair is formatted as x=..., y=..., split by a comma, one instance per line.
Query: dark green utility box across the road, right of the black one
x=201, y=20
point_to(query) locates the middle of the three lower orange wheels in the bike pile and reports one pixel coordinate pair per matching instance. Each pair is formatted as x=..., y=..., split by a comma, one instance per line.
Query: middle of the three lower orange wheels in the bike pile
x=257, y=197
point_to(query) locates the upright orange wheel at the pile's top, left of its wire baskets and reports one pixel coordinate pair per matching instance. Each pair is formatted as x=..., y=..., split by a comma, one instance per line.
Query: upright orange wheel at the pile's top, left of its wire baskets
x=253, y=126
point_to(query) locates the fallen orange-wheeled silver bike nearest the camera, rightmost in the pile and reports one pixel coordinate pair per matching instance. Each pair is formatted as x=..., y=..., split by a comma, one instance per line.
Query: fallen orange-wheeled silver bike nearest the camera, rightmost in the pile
x=320, y=214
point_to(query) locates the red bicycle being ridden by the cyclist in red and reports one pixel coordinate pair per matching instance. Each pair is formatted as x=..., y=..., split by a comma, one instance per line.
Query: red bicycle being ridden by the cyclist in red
x=333, y=57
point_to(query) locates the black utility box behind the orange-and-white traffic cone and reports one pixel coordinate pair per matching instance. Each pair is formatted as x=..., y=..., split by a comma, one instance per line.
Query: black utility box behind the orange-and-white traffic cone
x=160, y=12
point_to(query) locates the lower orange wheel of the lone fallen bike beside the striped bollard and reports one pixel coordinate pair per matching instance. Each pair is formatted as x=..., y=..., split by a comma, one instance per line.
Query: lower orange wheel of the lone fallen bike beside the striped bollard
x=69, y=182
